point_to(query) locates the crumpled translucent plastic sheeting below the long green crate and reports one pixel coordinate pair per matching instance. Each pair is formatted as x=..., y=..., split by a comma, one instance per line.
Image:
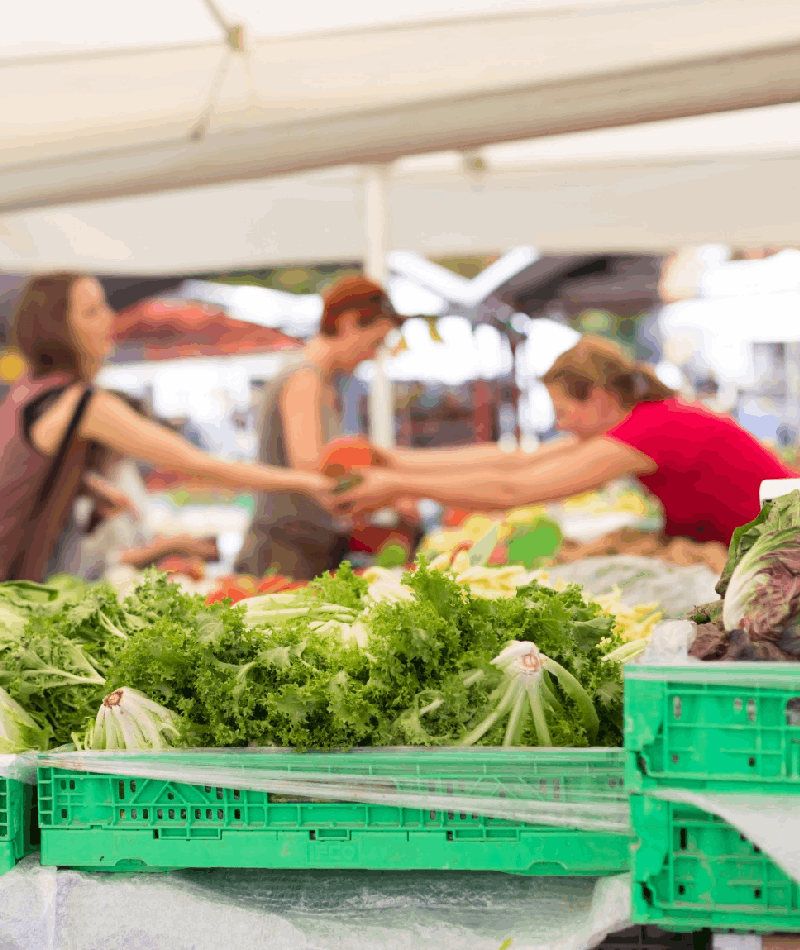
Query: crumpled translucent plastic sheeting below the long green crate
x=43, y=908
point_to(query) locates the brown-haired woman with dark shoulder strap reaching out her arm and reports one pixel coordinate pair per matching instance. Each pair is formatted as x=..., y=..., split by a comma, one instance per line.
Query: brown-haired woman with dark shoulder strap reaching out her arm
x=55, y=413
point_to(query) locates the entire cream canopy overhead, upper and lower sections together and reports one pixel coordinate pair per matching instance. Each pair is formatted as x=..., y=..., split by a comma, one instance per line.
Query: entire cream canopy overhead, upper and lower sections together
x=115, y=100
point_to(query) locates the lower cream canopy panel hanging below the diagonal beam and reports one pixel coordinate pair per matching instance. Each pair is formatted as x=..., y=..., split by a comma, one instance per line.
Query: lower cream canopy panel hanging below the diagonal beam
x=728, y=178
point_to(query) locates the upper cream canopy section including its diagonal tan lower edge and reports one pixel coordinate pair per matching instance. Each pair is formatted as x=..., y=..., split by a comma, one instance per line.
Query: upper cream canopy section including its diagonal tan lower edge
x=112, y=99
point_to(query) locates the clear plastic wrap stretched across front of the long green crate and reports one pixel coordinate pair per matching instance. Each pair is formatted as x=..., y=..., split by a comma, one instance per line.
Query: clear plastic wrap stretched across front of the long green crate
x=571, y=788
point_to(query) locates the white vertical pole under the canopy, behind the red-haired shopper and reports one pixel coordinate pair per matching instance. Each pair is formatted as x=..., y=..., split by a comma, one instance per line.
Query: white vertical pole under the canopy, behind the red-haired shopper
x=377, y=220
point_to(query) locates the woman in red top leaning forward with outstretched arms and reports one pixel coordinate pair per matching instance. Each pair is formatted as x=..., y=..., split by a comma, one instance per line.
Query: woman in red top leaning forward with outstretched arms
x=622, y=422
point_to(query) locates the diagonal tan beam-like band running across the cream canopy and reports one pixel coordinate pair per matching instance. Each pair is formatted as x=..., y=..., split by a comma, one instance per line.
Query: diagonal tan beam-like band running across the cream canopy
x=760, y=77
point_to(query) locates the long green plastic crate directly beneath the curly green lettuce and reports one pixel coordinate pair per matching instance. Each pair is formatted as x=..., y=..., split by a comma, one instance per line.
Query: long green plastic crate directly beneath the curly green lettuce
x=127, y=822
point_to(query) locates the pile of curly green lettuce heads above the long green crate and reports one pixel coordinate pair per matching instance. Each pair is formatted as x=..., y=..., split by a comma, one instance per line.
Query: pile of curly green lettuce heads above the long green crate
x=324, y=667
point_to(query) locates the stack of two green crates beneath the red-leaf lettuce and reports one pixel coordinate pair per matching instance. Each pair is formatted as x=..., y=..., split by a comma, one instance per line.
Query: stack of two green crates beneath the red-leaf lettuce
x=729, y=728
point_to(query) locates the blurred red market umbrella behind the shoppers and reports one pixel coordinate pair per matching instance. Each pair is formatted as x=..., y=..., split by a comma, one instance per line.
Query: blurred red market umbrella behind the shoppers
x=175, y=329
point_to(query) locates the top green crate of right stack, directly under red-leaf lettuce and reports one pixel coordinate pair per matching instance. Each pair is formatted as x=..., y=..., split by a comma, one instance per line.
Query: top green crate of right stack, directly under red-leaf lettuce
x=716, y=726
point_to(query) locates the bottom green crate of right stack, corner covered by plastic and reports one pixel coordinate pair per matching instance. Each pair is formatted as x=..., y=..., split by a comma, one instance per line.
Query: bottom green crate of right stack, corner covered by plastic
x=691, y=870
